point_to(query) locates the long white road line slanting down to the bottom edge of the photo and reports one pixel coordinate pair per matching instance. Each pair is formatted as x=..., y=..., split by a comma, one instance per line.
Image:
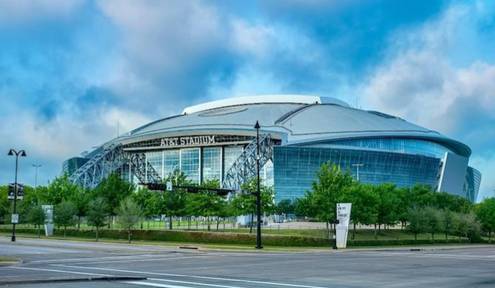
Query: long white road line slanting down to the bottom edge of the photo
x=192, y=276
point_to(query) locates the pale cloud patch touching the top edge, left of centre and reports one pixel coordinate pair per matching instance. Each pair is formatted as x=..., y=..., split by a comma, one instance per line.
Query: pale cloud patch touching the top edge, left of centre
x=165, y=36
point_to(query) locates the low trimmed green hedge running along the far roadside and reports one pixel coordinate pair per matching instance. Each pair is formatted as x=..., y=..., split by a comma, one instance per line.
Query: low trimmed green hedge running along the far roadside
x=234, y=238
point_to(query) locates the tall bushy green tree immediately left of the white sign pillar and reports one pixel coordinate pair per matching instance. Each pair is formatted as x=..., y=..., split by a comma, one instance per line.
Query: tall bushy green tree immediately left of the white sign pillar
x=329, y=189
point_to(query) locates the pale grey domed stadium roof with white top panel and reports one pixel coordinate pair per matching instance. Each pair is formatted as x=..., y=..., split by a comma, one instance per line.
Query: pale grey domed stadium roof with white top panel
x=297, y=119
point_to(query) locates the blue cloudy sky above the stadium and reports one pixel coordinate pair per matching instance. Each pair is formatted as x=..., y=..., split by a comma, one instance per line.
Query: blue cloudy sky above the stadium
x=76, y=73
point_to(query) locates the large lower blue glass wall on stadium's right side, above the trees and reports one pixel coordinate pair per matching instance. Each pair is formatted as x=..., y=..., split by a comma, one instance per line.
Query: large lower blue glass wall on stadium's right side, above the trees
x=296, y=168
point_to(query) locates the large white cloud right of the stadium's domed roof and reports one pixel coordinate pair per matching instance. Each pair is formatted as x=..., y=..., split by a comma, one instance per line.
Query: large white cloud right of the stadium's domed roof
x=424, y=81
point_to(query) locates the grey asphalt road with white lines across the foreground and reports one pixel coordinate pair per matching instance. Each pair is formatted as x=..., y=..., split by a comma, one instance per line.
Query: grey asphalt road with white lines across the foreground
x=158, y=266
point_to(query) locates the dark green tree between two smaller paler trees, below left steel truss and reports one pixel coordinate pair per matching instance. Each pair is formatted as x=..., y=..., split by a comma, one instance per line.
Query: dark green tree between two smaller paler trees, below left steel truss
x=113, y=190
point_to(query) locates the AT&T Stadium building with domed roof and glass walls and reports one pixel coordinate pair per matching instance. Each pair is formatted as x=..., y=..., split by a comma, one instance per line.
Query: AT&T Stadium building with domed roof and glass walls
x=217, y=140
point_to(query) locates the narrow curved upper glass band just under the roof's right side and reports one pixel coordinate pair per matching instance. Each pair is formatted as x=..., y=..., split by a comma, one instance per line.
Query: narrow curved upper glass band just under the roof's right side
x=401, y=145
